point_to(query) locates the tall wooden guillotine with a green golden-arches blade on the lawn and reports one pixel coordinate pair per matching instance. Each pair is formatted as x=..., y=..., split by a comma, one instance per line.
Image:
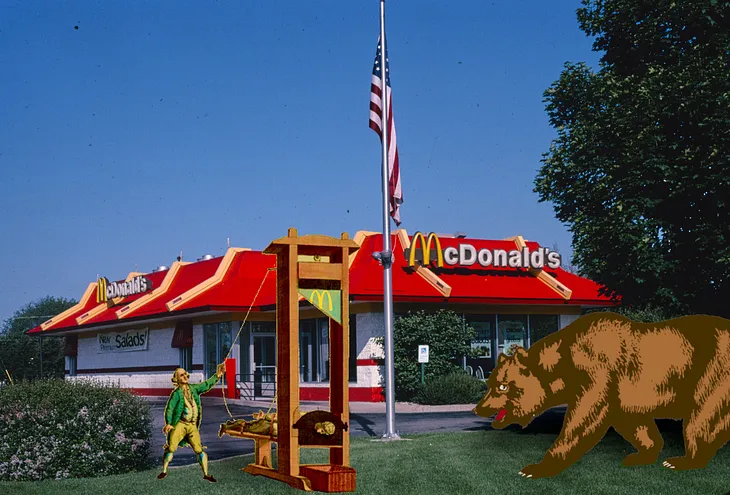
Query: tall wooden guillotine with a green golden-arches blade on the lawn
x=327, y=282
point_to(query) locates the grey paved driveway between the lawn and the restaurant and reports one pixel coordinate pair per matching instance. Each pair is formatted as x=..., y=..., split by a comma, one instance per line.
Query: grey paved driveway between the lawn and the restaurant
x=361, y=424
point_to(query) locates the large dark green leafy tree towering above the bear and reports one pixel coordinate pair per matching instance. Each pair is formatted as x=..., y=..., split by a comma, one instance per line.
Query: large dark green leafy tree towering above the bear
x=639, y=171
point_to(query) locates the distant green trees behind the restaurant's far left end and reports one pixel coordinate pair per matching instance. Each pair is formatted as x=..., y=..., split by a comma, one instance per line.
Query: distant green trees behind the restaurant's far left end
x=20, y=353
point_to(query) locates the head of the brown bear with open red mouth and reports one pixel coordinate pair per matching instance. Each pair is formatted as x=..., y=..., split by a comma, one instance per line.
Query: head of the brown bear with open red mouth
x=514, y=393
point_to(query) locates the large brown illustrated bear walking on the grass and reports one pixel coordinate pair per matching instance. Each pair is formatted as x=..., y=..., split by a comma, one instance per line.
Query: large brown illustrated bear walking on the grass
x=612, y=371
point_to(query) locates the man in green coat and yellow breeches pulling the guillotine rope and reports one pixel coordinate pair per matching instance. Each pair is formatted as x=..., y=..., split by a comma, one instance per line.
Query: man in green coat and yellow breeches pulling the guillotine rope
x=183, y=415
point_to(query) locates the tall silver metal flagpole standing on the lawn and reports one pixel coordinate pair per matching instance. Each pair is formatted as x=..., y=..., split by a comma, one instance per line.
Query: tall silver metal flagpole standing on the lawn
x=386, y=255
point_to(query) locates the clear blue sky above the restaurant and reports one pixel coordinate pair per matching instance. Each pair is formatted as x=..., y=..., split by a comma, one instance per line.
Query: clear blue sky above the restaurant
x=157, y=127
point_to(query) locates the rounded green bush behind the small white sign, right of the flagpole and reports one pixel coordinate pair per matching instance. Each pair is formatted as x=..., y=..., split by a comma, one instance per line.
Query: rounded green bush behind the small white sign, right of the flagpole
x=448, y=339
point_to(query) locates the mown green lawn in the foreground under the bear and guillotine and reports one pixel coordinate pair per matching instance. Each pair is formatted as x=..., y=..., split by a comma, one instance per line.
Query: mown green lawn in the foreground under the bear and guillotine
x=481, y=462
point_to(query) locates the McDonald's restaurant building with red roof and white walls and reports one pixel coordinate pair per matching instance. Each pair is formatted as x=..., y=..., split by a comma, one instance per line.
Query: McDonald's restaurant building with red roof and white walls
x=135, y=331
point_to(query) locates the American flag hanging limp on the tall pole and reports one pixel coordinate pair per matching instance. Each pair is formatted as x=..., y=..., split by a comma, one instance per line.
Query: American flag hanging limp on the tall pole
x=376, y=111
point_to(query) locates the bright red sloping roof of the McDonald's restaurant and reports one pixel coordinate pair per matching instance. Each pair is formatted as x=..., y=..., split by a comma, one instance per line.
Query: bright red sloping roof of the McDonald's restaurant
x=230, y=283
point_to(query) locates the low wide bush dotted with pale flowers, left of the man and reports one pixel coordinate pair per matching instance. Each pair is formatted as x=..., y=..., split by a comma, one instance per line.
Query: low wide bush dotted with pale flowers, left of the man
x=59, y=429
